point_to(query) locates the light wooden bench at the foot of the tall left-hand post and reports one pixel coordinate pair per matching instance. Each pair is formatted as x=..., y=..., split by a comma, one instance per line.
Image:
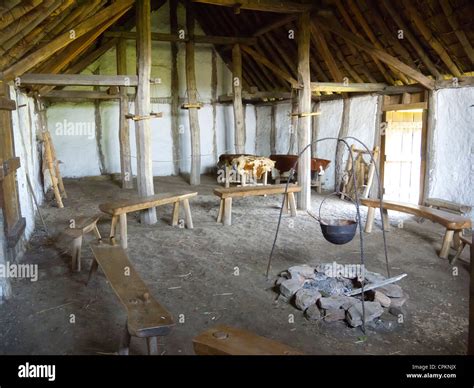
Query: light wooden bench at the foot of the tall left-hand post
x=119, y=209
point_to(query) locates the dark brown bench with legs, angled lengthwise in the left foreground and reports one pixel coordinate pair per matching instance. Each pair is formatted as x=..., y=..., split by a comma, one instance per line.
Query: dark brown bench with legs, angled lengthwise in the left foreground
x=146, y=318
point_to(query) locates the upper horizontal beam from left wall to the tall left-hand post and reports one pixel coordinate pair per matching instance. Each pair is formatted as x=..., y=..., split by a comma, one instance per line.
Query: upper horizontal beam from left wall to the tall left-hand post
x=78, y=80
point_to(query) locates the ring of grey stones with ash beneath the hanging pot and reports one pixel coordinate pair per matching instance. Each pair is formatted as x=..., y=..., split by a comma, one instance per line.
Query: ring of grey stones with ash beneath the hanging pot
x=321, y=293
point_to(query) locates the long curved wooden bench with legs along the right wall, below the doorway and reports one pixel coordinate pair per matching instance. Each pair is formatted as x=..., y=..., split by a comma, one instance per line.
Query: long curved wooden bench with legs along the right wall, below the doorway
x=453, y=223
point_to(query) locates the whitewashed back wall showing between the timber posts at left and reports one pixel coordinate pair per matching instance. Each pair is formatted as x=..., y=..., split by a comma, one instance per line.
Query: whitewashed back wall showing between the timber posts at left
x=83, y=155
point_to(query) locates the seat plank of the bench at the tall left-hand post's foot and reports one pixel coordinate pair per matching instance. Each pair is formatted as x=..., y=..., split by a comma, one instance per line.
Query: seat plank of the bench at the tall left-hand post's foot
x=136, y=204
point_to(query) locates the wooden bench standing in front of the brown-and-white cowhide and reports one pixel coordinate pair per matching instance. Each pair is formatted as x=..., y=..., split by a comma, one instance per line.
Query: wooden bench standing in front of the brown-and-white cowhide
x=226, y=195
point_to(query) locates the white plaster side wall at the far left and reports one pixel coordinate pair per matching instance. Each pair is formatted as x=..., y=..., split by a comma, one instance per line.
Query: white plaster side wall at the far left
x=27, y=149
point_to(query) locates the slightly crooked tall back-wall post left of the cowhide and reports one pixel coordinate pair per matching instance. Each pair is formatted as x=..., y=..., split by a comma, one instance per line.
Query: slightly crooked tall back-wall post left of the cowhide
x=195, y=176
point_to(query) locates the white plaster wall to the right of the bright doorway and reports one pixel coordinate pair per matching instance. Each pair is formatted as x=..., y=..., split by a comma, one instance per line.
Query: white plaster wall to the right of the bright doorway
x=451, y=161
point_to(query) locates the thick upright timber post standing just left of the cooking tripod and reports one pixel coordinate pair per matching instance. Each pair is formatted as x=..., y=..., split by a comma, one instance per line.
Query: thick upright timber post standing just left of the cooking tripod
x=304, y=103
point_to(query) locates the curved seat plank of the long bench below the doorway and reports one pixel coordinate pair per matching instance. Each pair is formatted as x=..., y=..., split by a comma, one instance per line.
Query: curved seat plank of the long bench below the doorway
x=448, y=220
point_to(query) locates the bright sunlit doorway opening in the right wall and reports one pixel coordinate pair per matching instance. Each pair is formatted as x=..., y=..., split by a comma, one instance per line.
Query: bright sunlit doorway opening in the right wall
x=402, y=155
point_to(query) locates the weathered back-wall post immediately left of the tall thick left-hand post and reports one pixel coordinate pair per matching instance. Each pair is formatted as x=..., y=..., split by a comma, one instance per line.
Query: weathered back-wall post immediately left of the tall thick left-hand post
x=124, y=133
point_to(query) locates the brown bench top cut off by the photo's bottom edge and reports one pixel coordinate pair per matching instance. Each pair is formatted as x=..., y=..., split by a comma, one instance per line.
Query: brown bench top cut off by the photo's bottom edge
x=225, y=340
